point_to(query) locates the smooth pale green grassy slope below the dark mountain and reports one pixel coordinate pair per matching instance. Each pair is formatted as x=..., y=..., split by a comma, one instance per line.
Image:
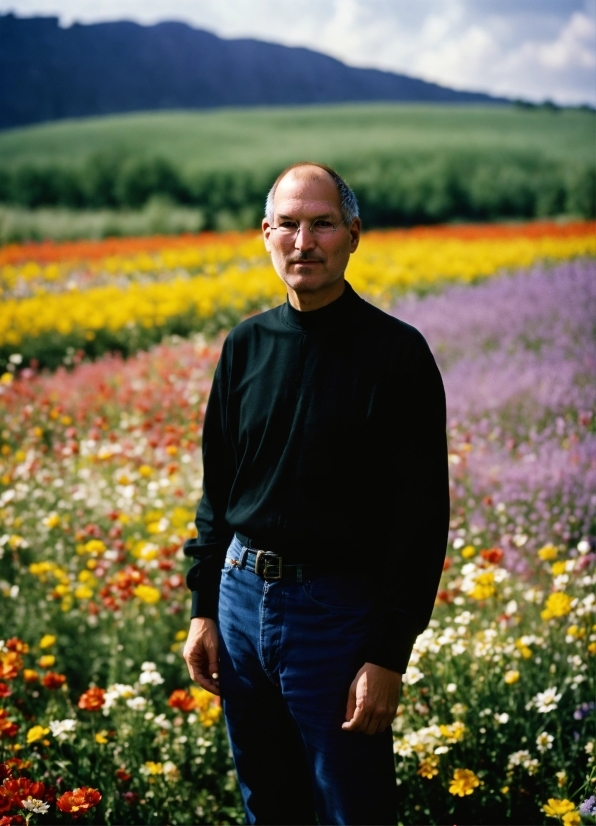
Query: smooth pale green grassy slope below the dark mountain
x=245, y=138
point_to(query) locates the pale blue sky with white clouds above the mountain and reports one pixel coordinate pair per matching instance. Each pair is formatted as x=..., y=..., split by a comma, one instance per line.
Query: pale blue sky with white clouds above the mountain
x=531, y=49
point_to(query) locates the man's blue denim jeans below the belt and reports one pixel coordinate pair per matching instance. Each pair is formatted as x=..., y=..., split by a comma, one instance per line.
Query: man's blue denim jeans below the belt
x=288, y=653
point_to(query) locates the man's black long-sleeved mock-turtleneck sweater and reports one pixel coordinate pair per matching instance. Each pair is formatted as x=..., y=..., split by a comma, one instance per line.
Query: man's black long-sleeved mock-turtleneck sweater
x=324, y=440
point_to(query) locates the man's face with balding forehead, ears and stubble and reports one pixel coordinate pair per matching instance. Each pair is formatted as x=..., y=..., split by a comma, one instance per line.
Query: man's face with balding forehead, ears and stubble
x=310, y=265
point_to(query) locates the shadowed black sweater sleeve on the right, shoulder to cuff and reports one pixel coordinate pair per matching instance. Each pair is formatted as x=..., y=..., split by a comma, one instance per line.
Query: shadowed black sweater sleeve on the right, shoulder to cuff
x=418, y=502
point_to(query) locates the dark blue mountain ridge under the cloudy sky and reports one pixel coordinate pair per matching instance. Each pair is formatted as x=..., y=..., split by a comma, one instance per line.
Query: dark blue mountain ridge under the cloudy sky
x=48, y=72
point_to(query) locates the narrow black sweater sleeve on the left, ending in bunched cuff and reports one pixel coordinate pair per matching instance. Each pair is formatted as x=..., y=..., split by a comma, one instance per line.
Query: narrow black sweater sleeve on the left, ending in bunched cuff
x=214, y=533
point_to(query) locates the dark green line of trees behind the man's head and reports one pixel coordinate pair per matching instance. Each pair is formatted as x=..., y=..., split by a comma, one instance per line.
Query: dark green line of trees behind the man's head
x=391, y=191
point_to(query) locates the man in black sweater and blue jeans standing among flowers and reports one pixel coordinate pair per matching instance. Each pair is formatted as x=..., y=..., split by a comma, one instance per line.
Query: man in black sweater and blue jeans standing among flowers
x=325, y=502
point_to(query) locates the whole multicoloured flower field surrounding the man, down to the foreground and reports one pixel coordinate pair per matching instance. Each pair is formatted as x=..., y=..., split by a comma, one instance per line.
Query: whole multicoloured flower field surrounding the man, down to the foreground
x=100, y=472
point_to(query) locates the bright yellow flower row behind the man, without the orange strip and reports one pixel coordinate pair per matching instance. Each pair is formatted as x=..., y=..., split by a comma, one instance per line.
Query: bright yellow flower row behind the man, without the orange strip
x=384, y=265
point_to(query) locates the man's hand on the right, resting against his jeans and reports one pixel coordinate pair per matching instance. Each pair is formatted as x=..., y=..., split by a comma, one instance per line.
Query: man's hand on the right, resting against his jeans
x=372, y=700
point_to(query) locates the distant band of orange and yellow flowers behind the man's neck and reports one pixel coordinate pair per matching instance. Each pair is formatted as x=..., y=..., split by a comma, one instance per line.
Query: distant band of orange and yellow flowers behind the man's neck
x=125, y=294
